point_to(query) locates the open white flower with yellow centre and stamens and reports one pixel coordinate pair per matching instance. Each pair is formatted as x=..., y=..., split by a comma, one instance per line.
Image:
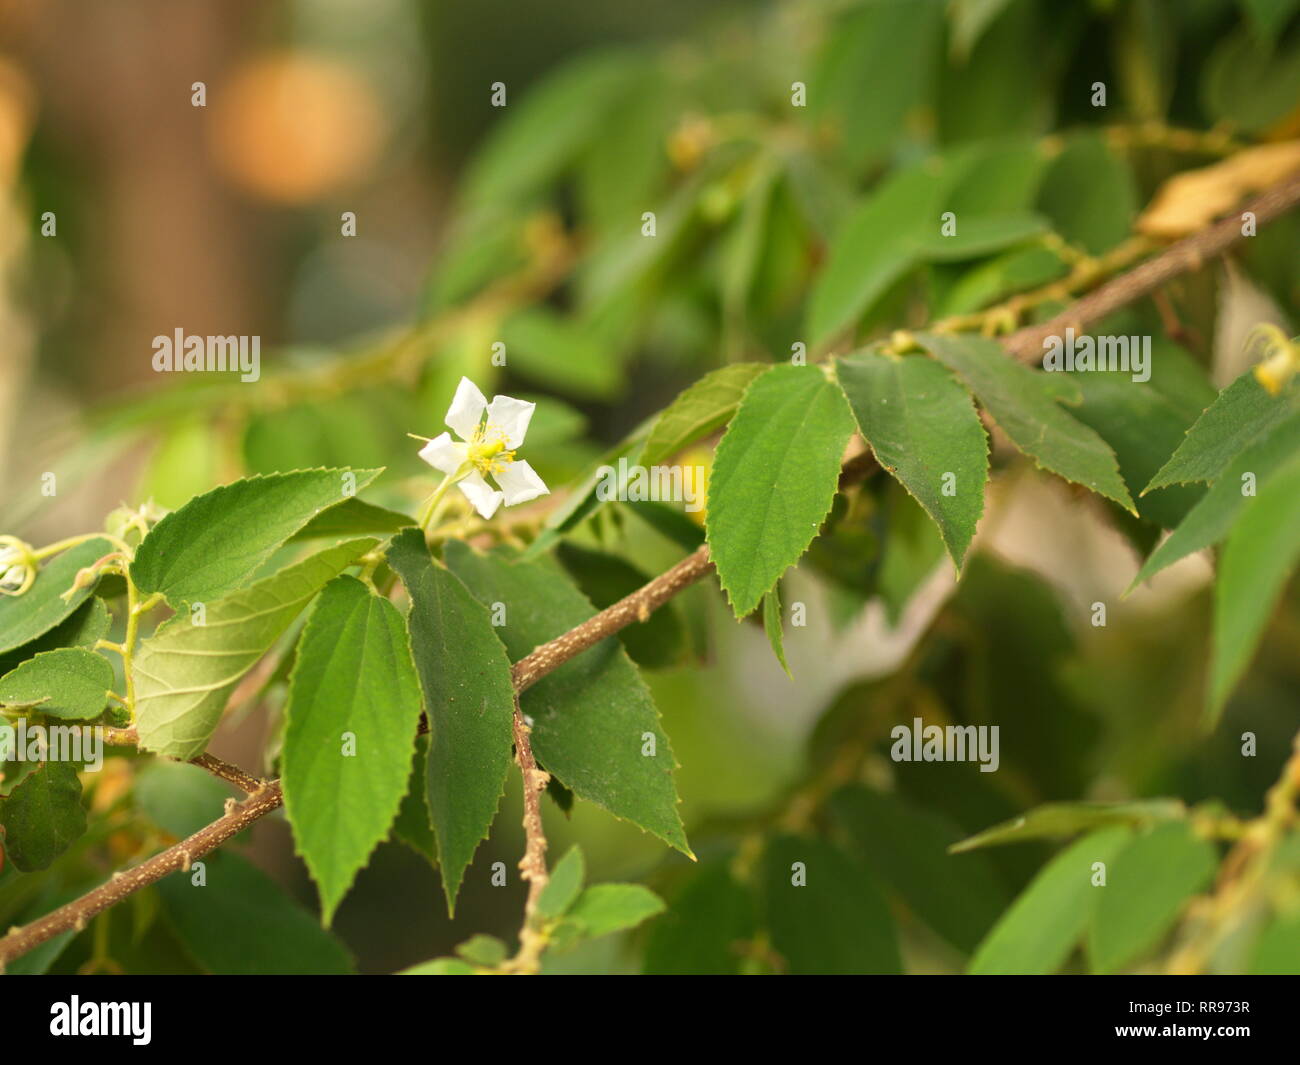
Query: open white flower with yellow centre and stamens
x=487, y=448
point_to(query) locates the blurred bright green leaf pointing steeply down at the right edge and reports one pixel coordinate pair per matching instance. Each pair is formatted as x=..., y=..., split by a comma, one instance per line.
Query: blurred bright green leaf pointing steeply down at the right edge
x=1258, y=560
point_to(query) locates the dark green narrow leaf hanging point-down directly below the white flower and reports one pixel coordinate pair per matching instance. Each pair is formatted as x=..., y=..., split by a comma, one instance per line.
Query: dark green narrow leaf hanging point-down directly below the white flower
x=471, y=704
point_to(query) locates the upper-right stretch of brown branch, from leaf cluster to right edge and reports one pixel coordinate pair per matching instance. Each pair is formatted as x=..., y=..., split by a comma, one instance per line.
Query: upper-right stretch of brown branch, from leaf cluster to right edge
x=1190, y=254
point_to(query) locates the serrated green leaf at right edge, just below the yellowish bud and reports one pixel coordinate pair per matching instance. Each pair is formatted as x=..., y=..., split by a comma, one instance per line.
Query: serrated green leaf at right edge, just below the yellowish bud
x=1243, y=413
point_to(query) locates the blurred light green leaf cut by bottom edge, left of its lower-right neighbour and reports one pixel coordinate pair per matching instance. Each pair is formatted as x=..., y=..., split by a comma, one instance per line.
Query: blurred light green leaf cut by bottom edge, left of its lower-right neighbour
x=1045, y=924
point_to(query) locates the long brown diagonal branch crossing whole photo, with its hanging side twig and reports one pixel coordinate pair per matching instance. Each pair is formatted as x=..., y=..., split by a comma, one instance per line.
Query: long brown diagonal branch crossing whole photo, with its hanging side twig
x=1178, y=259
